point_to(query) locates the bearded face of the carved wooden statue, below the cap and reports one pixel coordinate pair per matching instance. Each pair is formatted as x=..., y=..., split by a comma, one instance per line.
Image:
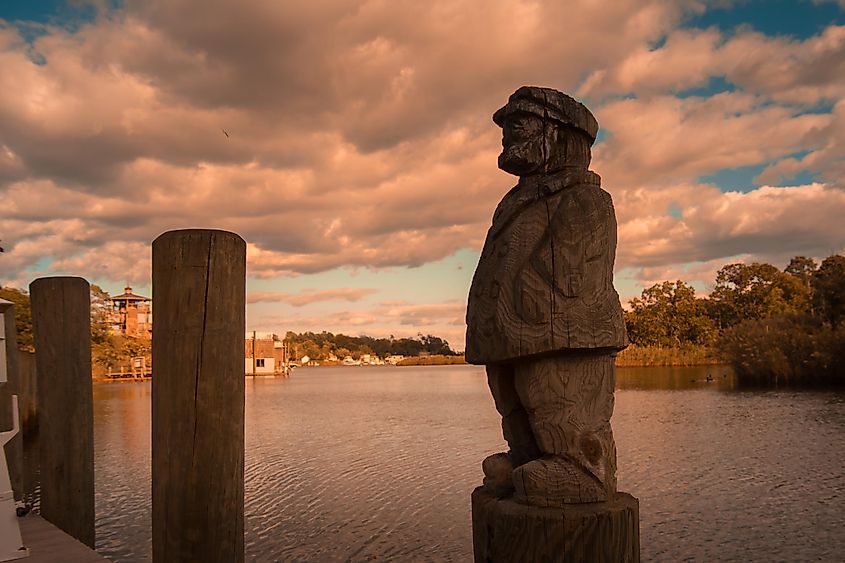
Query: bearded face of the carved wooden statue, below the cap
x=522, y=142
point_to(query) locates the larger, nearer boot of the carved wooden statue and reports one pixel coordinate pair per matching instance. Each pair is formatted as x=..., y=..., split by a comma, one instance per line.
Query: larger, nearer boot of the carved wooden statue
x=554, y=481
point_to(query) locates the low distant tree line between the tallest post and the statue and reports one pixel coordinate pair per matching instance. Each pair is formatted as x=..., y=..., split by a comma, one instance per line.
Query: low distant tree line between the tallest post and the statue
x=322, y=345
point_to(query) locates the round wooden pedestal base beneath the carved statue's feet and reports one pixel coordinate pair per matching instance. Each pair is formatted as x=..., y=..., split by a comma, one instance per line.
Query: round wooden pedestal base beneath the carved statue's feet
x=504, y=531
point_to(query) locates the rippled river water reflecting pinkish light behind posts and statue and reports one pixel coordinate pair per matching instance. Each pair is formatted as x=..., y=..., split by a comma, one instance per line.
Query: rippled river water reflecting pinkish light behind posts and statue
x=360, y=464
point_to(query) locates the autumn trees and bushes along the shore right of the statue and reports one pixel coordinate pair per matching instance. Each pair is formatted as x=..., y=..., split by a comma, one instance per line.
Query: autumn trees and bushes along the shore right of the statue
x=772, y=326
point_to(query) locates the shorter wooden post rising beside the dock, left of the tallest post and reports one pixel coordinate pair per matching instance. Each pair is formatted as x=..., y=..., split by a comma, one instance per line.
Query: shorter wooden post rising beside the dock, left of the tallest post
x=61, y=322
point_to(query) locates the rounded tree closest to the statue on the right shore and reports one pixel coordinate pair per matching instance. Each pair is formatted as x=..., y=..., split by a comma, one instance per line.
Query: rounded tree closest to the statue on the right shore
x=669, y=314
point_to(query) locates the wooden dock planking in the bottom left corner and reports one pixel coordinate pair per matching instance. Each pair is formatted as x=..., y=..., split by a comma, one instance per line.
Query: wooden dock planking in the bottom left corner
x=48, y=544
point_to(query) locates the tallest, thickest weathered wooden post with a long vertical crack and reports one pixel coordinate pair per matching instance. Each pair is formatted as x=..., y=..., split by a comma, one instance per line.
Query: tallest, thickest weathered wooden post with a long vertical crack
x=199, y=284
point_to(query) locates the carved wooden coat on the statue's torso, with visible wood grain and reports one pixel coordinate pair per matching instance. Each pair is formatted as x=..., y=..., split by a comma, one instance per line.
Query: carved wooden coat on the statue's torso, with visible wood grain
x=544, y=282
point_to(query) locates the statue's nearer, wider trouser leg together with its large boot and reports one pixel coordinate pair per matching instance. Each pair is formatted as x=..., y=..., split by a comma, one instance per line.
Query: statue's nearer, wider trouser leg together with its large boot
x=569, y=401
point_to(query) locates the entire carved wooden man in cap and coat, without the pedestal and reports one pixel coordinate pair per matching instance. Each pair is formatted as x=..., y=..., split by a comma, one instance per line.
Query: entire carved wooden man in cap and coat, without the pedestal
x=543, y=315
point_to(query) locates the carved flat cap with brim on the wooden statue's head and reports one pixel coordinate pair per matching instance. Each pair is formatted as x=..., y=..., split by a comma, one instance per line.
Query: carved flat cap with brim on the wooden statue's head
x=547, y=102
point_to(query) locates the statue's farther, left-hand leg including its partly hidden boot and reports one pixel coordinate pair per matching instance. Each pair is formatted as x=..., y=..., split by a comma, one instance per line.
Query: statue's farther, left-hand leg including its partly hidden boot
x=515, y=428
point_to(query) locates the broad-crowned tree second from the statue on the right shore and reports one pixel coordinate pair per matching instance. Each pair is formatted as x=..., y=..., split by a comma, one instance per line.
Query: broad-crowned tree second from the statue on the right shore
x=756, y=291
